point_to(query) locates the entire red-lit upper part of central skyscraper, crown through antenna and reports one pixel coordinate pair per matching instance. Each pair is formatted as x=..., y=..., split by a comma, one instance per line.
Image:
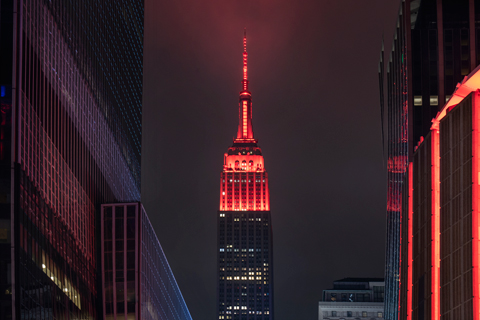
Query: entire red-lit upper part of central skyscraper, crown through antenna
x=244, y=181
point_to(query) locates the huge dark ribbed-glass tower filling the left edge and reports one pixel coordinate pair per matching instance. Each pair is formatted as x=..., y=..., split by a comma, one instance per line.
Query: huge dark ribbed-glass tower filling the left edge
x=70, y=140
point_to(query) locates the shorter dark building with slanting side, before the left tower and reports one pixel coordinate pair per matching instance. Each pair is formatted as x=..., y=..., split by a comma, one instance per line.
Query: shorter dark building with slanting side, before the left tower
x=137, y=280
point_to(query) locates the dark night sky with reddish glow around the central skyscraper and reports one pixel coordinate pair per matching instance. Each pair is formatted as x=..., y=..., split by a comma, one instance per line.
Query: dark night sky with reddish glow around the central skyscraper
x=313, y=71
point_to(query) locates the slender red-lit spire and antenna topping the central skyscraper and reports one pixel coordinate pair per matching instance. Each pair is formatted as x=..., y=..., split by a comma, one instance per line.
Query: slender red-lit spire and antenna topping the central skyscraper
x=245, y=130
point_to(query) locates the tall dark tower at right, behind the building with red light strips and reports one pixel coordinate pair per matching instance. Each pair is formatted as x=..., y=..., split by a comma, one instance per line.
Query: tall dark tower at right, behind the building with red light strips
x=436, y=44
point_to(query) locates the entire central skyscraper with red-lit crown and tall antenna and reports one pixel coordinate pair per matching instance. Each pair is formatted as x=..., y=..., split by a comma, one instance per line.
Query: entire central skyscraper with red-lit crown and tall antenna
x=245, y=260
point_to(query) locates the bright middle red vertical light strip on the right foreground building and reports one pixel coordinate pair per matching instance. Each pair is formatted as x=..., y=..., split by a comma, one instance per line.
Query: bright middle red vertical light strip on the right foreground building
x=435, y=167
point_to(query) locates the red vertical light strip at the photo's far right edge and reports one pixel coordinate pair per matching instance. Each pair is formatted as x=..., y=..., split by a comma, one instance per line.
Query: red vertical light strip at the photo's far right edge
x=475, y=209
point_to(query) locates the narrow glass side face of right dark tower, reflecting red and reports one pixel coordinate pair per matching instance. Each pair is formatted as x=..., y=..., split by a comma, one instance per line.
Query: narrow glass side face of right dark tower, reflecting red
x=397, y=149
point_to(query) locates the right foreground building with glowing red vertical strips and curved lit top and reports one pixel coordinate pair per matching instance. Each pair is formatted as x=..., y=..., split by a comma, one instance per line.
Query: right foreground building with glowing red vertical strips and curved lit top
x=441, y=278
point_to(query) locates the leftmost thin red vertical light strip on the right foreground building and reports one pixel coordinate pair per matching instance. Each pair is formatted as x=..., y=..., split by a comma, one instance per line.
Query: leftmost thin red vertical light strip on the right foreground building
x=410, y=242
